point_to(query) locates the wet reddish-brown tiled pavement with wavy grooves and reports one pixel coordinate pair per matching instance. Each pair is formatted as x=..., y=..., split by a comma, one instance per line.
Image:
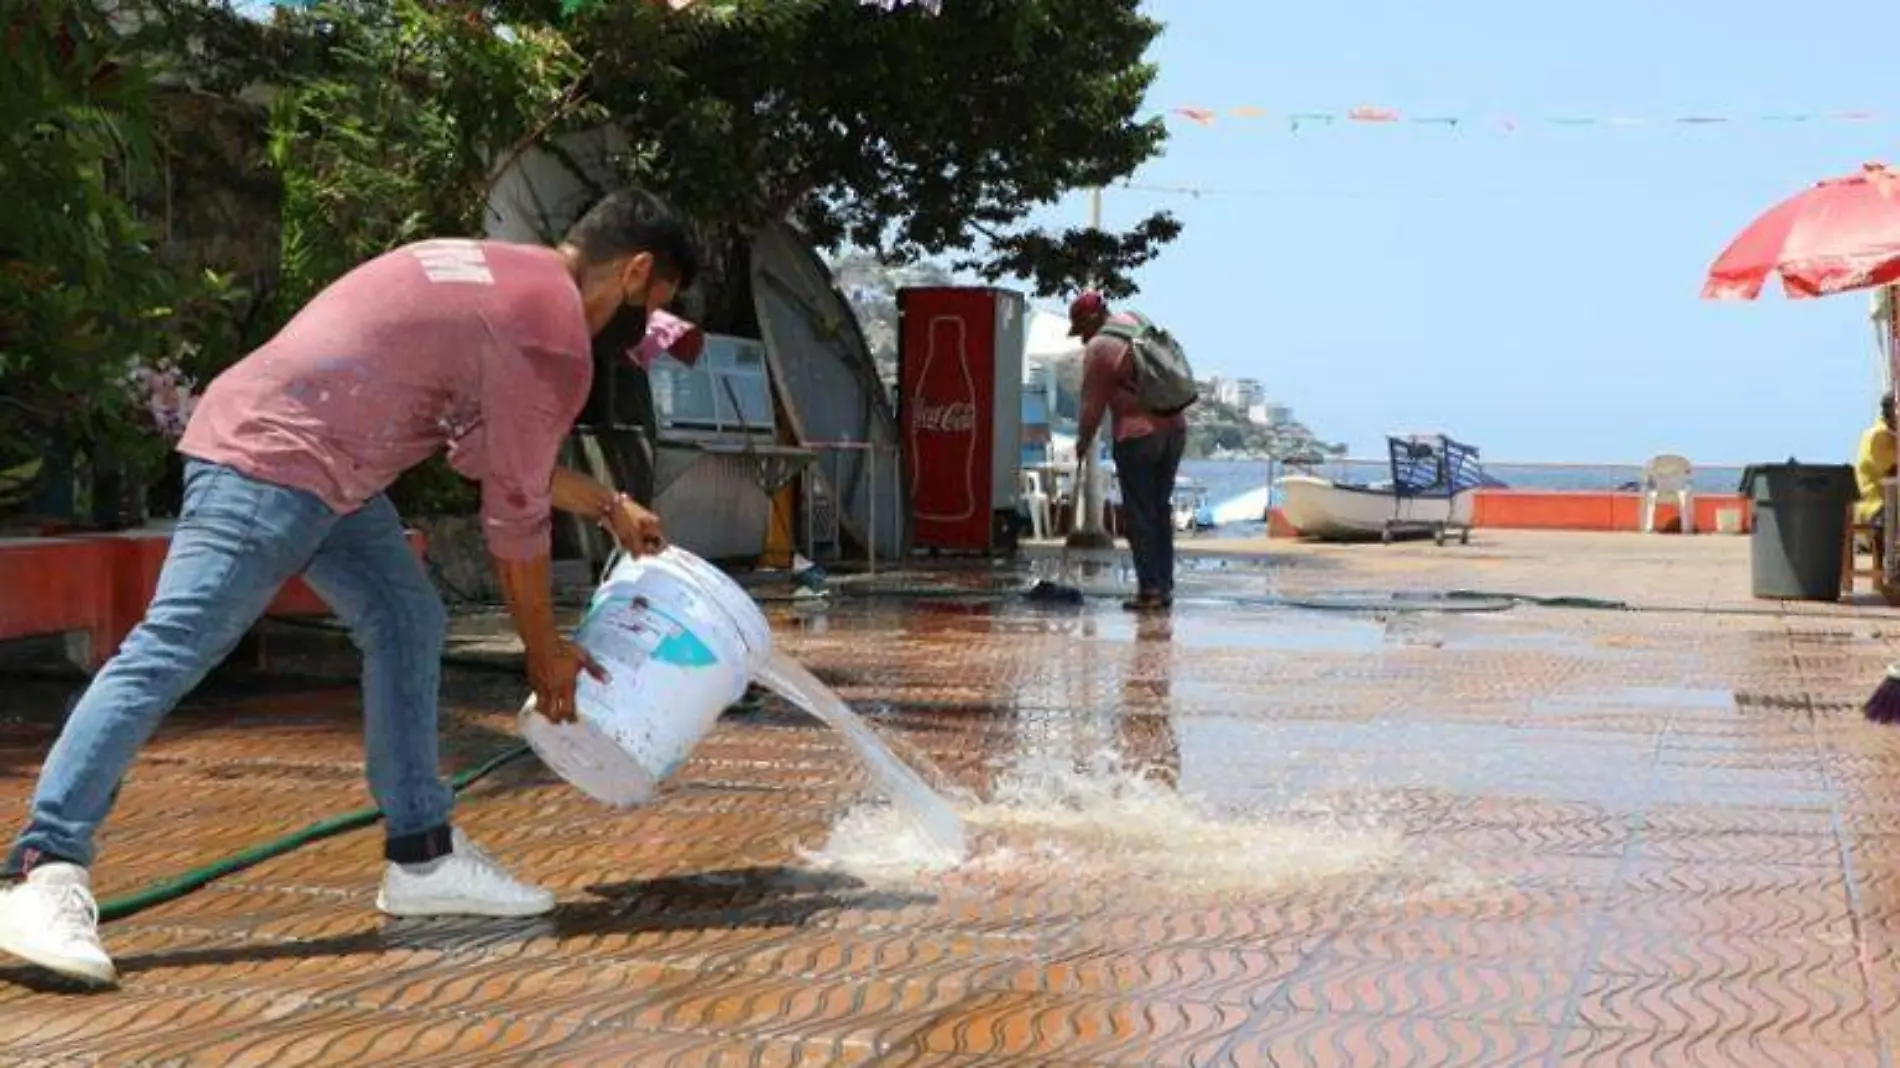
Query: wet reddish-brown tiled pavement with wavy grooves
x=1658, y=837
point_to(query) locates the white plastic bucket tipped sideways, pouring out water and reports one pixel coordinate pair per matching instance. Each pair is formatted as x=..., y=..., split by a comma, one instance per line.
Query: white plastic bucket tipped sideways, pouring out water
x=681, y=643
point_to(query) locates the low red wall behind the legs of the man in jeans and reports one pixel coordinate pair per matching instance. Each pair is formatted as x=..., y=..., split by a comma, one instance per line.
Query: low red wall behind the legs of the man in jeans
x=102, y=584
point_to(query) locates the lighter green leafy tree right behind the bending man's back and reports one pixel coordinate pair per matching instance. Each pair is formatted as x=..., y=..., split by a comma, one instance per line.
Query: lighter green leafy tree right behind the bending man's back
x=390, y=121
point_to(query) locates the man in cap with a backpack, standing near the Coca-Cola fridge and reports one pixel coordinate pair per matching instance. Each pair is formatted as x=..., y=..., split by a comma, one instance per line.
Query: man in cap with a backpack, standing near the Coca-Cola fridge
x=1137, y=373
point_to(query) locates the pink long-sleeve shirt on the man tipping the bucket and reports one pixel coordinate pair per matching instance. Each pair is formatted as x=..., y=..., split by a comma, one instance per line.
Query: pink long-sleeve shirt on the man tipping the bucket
x=478, y=347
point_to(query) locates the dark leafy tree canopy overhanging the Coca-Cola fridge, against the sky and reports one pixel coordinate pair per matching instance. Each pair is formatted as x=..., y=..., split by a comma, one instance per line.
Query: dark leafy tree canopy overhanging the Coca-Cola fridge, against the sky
x=898, y=132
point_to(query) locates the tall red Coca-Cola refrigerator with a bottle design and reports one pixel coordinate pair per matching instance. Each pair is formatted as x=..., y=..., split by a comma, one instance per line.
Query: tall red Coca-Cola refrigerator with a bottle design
x=960, y=415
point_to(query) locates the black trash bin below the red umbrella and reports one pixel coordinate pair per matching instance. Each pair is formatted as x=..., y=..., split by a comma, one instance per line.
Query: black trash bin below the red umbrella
x=1800, y=529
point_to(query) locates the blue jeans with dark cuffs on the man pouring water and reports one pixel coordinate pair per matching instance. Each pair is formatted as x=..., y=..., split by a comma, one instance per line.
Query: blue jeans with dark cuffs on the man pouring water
x=238, y=541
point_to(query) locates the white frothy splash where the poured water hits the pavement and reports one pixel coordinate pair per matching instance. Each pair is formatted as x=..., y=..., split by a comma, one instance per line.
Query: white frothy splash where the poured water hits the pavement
x=1105, y=824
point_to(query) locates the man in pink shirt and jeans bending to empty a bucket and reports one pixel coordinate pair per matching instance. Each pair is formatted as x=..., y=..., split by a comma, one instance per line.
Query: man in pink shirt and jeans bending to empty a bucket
x=478, y=347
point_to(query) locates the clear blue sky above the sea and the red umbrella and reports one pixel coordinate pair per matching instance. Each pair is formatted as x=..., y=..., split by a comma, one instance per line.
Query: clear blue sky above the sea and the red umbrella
x=1536, y=292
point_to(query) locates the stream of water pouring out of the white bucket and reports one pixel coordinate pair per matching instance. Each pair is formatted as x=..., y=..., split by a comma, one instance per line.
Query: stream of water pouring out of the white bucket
x=928, y=830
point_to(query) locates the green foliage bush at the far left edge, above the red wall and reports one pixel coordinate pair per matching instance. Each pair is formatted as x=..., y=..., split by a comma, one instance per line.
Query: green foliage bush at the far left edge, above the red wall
x=86, y=301
